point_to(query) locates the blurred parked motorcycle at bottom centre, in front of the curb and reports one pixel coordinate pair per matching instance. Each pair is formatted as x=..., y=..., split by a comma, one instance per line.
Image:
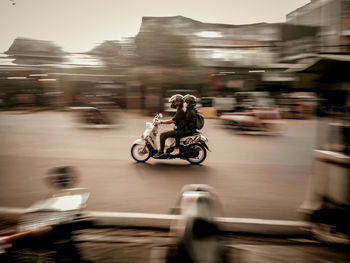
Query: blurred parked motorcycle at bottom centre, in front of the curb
x=196, y=232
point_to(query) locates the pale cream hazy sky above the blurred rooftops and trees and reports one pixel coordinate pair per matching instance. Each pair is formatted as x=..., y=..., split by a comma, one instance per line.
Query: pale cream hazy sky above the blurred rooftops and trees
x=79, y=25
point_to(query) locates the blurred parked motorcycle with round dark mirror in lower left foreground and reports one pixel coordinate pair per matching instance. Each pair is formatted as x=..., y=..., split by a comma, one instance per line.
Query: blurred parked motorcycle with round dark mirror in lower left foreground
x=45, y=230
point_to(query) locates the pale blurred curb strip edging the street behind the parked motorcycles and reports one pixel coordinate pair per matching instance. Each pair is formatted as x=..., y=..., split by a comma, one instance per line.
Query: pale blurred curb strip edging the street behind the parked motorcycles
x=163, y=221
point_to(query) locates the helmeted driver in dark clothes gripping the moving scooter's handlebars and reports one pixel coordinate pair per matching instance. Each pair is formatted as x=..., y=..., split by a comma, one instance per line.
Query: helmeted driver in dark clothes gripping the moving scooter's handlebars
x=176, y=103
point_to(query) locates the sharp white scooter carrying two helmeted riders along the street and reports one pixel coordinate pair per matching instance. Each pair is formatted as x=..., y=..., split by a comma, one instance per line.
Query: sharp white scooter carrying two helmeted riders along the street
x=193, y=148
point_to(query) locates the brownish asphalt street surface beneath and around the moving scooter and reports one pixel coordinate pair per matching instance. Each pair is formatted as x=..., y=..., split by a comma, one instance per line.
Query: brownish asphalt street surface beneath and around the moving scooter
x=255, y=176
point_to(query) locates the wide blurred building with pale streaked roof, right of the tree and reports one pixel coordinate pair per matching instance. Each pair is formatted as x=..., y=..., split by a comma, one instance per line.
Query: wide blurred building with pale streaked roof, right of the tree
x=241, y=57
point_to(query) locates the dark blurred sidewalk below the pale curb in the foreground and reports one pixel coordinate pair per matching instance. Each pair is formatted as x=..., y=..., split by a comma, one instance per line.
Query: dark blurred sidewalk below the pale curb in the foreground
x=142, y=245
